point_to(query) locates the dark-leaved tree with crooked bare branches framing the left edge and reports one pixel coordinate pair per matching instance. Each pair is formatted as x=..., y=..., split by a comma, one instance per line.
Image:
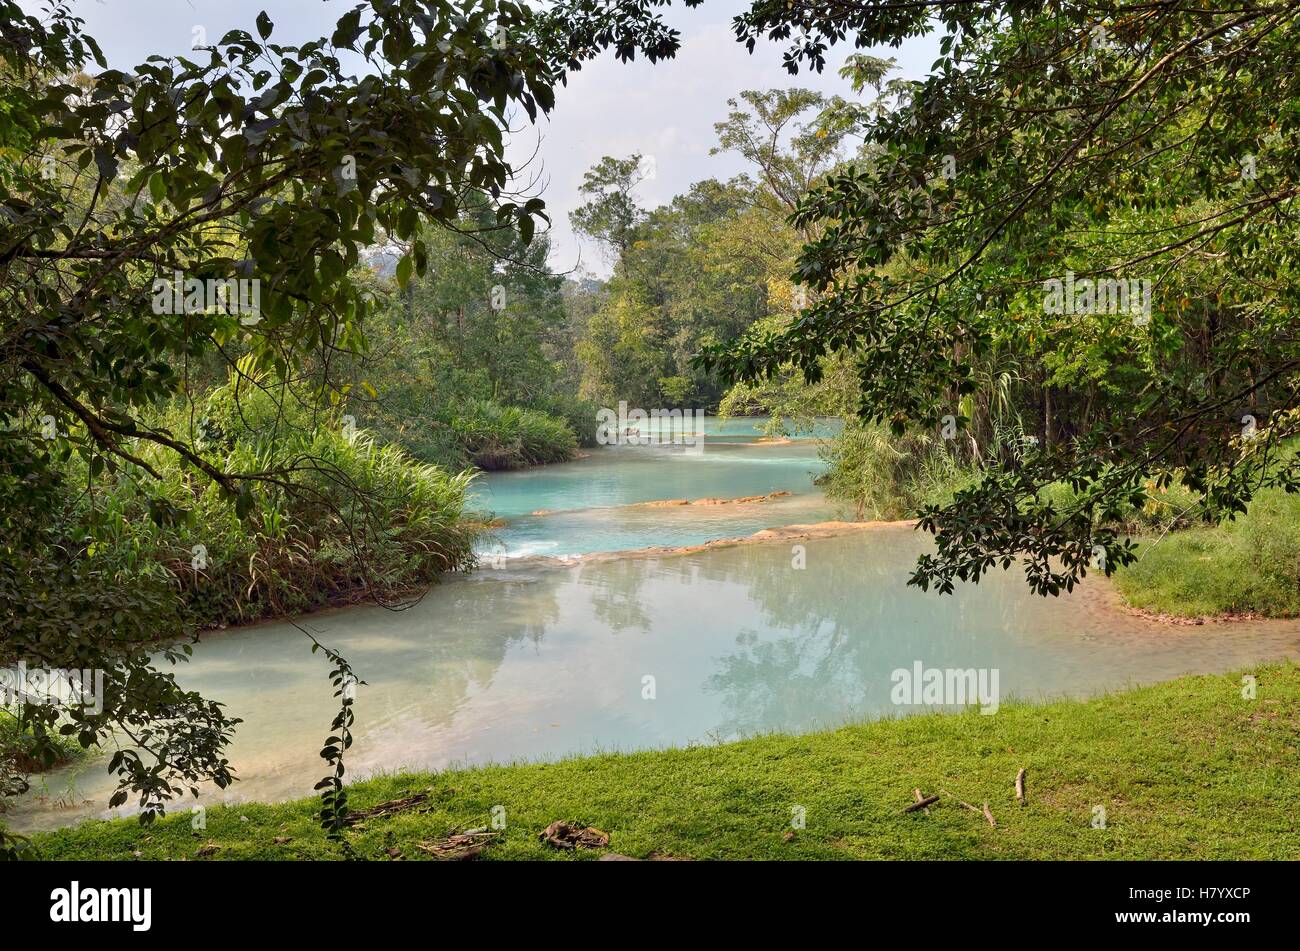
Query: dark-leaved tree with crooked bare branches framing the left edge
x=248, y=162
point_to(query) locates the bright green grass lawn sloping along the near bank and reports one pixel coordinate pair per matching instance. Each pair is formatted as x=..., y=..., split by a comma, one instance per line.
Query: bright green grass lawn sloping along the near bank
x=1185, y=770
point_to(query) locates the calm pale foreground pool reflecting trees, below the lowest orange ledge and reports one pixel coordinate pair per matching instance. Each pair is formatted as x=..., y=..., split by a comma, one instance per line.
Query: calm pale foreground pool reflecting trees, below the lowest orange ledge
x=544, y=662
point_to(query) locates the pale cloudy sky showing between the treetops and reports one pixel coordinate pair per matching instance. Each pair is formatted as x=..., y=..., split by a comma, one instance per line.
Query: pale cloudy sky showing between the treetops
x=665, y=111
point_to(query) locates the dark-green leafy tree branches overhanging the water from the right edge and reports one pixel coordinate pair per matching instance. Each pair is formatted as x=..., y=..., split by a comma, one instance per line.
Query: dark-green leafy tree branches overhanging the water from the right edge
x=1050, y=144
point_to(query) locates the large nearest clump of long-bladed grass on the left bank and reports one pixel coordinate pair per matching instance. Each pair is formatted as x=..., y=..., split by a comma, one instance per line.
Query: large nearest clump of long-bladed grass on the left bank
x=354, y=518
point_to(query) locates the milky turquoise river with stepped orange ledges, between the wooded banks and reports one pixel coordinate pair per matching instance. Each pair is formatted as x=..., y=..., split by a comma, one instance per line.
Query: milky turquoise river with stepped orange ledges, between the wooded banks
x=779, y=620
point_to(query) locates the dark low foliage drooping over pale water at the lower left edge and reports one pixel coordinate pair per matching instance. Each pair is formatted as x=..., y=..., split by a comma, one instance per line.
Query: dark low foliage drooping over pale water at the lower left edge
x=66, y=609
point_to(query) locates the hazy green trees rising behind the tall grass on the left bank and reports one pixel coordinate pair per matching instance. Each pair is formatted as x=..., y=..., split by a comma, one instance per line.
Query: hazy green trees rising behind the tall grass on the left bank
x=486, y=324
